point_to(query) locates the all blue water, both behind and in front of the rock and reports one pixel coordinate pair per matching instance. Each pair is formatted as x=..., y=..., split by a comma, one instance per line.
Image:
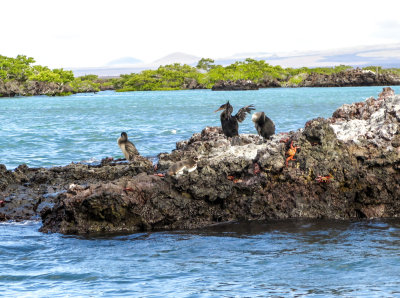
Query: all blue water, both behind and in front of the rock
x=290, y=258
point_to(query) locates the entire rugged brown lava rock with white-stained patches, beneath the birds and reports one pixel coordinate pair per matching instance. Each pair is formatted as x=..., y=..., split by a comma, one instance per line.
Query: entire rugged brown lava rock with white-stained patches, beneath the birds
x=347, y=166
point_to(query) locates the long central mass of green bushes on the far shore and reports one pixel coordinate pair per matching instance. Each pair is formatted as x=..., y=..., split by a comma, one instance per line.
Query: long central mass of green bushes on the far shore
x=206, y=74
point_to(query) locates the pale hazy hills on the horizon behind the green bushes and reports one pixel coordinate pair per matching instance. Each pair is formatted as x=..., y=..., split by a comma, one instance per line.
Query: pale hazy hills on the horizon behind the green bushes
x=379, y=55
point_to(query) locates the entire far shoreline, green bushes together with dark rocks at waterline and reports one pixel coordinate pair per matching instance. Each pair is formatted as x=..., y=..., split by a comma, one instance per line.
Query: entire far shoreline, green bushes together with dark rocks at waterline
x=19, y=77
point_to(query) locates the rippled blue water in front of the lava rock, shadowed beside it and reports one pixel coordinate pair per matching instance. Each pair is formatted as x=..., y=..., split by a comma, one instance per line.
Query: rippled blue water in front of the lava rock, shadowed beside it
x=284, y=258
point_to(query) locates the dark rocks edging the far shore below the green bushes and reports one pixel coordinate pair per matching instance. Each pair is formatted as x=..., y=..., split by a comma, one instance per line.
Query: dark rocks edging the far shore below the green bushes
x=349, y=78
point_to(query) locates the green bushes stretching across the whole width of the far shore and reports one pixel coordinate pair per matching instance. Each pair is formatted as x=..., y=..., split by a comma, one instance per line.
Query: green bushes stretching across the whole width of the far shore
x=19, y=76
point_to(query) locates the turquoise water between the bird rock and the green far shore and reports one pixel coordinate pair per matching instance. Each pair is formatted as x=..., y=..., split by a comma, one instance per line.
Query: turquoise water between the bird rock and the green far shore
x=48, y=131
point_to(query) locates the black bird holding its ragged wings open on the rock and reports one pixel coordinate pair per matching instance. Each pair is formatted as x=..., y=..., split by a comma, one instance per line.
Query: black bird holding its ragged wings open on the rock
x=229, y=123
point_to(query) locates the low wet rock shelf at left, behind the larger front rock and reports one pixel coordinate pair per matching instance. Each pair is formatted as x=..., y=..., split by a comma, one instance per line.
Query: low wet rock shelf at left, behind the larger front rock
x=25, y=192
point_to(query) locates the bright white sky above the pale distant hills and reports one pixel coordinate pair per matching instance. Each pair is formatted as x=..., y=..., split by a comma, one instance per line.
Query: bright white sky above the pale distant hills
x=88, y=33
